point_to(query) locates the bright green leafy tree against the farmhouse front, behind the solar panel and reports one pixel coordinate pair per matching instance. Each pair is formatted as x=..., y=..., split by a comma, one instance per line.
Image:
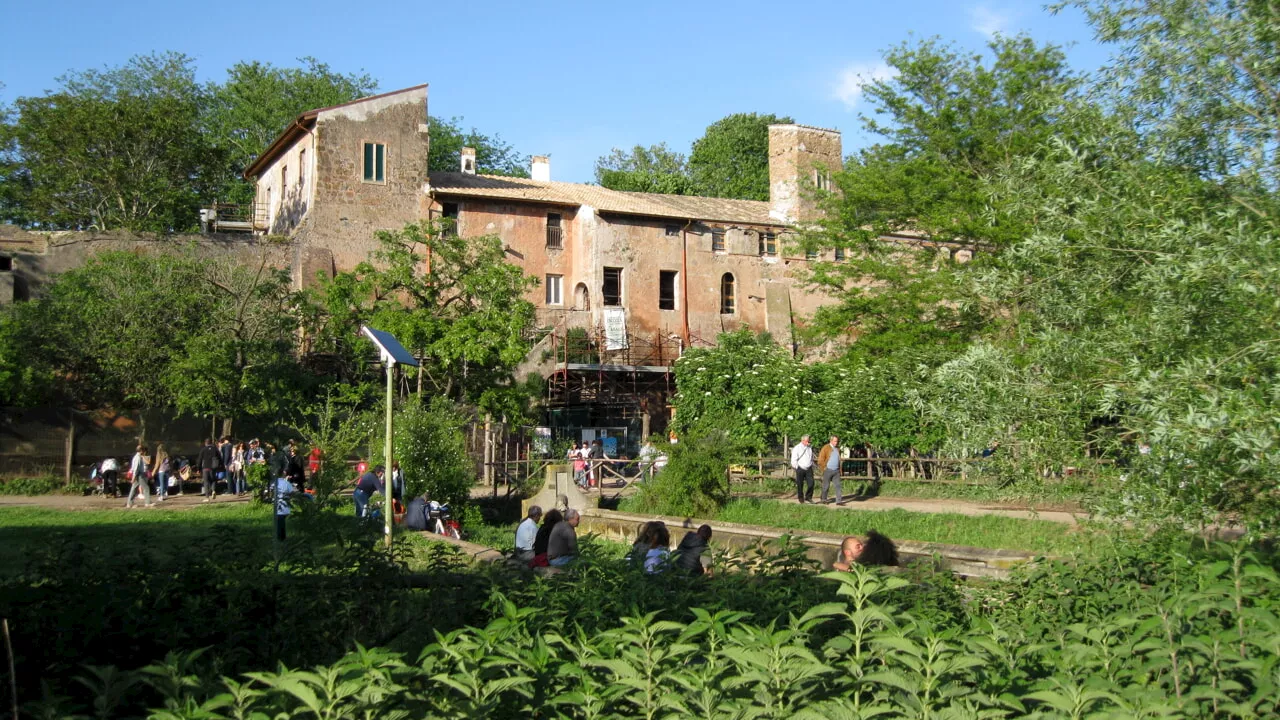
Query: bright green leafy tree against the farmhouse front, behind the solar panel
x=455, y=303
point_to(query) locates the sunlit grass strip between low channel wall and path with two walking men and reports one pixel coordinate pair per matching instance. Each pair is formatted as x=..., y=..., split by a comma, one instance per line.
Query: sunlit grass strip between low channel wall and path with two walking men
x=986, y=531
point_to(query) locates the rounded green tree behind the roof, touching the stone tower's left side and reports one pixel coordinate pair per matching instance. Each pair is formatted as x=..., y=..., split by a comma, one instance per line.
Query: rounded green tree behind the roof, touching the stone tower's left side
x=733, y=157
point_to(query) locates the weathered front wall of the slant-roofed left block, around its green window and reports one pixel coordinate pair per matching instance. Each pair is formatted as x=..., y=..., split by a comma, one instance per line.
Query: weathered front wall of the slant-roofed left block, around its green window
x=346, y=211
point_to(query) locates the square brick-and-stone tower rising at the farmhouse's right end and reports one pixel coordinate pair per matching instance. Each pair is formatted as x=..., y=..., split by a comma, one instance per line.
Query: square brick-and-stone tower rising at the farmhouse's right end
x=802, y=160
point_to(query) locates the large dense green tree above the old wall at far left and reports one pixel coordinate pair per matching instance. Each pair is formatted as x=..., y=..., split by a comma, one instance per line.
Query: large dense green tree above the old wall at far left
x=116, y=149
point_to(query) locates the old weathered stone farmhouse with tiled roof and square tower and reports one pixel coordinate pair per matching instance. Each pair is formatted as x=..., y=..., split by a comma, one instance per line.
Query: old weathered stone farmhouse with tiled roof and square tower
x=666, y=266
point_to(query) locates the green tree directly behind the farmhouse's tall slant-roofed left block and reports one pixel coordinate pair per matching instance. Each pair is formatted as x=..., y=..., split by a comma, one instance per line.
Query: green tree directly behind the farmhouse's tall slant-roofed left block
x=258, y=101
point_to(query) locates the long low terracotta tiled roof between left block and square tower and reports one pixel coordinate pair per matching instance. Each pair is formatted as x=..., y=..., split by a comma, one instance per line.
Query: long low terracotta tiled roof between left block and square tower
x=651, y=204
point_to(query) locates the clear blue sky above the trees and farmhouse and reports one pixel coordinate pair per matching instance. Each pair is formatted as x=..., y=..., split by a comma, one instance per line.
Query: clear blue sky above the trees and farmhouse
x=570, y=80
